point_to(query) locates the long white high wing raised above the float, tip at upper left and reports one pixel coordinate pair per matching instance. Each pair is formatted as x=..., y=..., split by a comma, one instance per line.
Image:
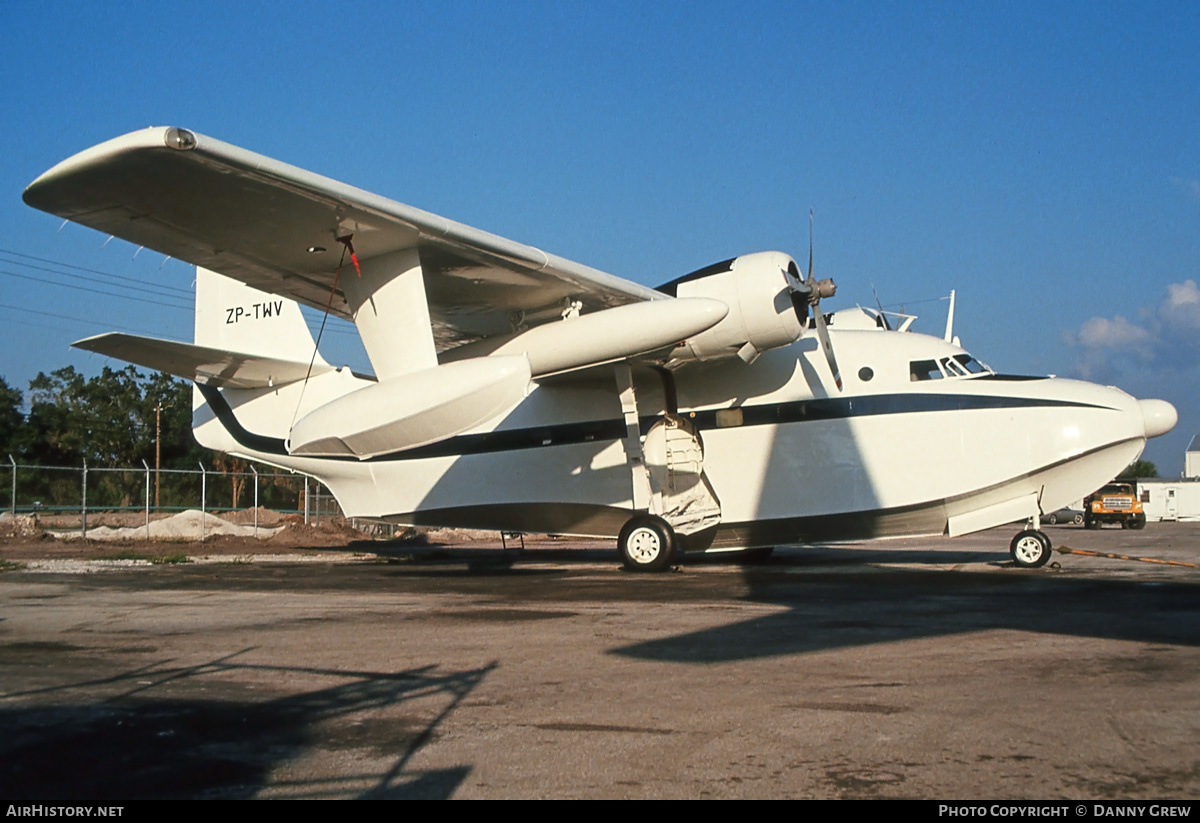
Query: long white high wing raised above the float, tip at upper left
x=277, y=227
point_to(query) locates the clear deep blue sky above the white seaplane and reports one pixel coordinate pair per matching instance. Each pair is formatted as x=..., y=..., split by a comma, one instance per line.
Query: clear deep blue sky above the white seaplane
x=1042, y=159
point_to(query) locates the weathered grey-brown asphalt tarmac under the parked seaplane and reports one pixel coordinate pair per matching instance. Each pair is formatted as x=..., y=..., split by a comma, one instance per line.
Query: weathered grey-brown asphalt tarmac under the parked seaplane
x=917, y=669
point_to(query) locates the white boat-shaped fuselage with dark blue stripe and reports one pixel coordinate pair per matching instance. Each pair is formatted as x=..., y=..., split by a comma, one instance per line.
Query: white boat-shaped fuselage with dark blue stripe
x=788, y=456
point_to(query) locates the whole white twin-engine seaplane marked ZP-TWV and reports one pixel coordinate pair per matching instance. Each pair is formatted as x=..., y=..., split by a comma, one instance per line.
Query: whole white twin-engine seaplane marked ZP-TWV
x=520, y=392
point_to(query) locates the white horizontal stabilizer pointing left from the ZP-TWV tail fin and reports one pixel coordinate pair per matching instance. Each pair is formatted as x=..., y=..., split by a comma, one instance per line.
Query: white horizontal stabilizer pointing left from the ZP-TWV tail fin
x=213, y=368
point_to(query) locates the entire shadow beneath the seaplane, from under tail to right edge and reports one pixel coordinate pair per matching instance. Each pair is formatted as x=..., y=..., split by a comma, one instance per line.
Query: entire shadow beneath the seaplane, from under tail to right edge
x=843, y=597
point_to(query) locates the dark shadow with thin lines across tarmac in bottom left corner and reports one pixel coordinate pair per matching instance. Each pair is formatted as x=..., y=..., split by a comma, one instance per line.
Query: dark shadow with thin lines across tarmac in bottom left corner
x=134, y=746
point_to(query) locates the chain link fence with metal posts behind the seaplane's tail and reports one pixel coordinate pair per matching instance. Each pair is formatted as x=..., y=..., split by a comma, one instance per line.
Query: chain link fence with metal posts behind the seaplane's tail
x=70, y=495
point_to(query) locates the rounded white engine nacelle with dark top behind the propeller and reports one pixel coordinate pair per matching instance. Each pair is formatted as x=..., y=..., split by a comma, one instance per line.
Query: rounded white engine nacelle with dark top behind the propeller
x=766, y=313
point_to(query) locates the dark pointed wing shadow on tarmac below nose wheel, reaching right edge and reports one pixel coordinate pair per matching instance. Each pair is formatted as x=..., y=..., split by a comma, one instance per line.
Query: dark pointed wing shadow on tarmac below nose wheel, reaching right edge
x=838, y=609
